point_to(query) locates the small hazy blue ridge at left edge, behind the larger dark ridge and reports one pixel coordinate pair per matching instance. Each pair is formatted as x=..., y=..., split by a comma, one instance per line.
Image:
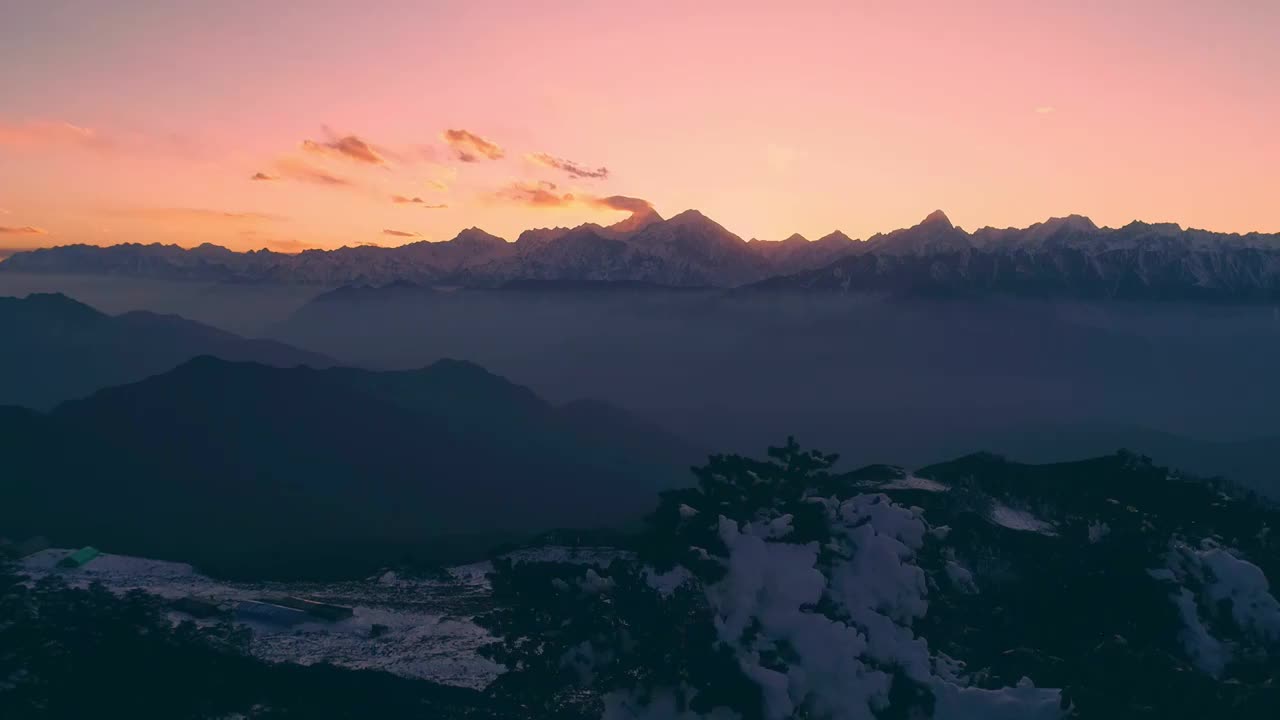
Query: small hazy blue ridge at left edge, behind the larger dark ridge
x=62, y=349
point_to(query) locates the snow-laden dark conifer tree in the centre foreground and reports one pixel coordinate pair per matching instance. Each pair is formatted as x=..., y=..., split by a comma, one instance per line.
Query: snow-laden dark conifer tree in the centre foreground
x=772, y=590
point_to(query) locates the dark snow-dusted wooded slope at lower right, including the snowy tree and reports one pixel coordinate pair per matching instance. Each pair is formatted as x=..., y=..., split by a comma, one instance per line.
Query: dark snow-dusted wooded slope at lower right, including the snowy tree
x=972, y=590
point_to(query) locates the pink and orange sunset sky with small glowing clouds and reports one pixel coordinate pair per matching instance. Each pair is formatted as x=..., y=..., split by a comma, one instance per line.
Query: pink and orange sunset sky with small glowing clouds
x=149, y=122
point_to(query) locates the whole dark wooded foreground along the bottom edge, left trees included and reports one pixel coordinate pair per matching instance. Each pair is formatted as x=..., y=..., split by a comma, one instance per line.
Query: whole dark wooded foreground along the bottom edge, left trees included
x=1107, y=589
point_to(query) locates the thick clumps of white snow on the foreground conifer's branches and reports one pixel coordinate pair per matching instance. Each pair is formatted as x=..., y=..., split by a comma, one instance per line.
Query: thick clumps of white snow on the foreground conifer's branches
x=836, y=664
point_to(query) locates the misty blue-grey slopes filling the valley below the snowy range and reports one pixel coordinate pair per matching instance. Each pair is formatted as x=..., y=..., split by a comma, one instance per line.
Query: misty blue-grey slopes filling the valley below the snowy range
x=909, y=380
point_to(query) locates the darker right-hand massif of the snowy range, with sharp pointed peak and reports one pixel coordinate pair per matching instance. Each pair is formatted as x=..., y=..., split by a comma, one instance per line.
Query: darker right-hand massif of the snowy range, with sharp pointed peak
x=1063, y=258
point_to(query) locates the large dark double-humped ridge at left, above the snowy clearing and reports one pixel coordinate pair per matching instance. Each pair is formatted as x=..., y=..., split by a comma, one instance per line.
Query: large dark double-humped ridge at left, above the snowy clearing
x=217, y=461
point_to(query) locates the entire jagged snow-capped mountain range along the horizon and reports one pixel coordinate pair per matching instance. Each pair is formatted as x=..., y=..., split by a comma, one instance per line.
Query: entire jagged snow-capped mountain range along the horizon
x=1062, y=256
